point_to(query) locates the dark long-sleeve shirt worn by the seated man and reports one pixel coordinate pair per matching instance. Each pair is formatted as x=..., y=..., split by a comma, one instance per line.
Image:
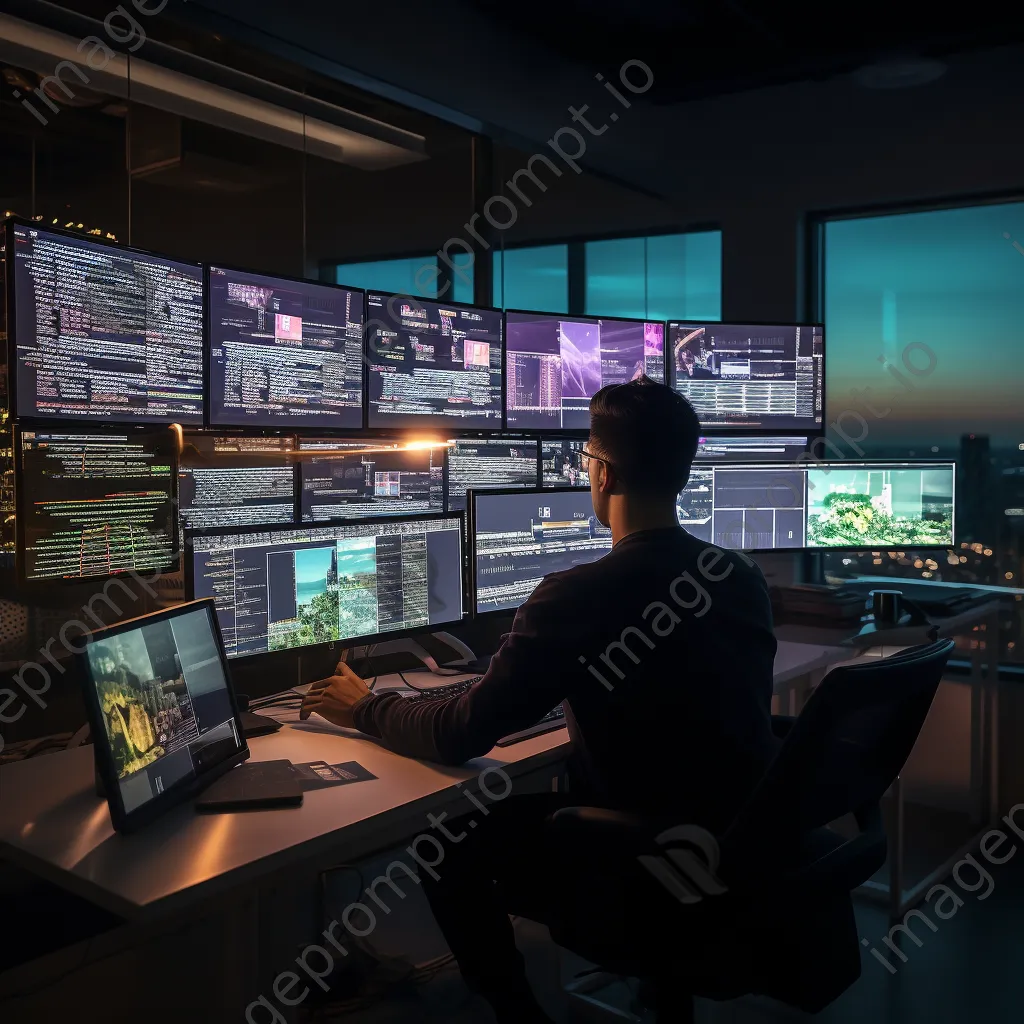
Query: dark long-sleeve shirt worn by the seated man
x=663, y=653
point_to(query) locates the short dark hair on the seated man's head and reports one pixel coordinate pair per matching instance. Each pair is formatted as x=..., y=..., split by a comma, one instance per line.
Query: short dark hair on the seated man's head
x=649, y=434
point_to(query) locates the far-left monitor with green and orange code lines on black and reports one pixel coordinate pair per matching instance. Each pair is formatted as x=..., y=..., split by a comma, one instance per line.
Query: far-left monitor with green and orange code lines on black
x=96, y=504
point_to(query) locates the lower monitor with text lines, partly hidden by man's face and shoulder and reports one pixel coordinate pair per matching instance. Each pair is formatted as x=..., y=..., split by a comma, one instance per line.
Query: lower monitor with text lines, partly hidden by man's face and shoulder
x=519, y=537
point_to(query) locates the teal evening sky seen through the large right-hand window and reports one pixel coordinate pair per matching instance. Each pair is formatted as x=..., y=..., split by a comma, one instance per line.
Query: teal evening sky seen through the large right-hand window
x=950, y=280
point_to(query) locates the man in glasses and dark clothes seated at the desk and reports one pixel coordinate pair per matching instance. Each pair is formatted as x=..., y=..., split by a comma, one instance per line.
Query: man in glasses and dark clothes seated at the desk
x=663, y=654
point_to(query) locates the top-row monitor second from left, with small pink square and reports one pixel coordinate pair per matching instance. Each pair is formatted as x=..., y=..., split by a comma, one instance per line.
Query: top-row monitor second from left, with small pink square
x=284, y=353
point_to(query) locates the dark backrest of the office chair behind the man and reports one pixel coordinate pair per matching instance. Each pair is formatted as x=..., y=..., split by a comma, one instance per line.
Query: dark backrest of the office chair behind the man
x=845, y=750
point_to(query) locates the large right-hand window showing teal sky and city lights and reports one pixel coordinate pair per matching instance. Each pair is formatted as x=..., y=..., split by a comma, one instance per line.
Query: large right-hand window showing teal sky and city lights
x=925, y=328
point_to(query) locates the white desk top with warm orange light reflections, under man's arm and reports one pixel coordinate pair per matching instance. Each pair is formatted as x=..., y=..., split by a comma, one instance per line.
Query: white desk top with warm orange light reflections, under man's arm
x=53, y=824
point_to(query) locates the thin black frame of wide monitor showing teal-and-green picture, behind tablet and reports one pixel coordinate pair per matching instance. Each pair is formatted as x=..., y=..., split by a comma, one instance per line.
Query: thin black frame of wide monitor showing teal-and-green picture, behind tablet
x=343, y=644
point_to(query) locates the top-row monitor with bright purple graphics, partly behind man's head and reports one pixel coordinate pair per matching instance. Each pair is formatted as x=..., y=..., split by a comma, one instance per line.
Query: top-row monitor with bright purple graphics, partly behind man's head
x=557, y=364
